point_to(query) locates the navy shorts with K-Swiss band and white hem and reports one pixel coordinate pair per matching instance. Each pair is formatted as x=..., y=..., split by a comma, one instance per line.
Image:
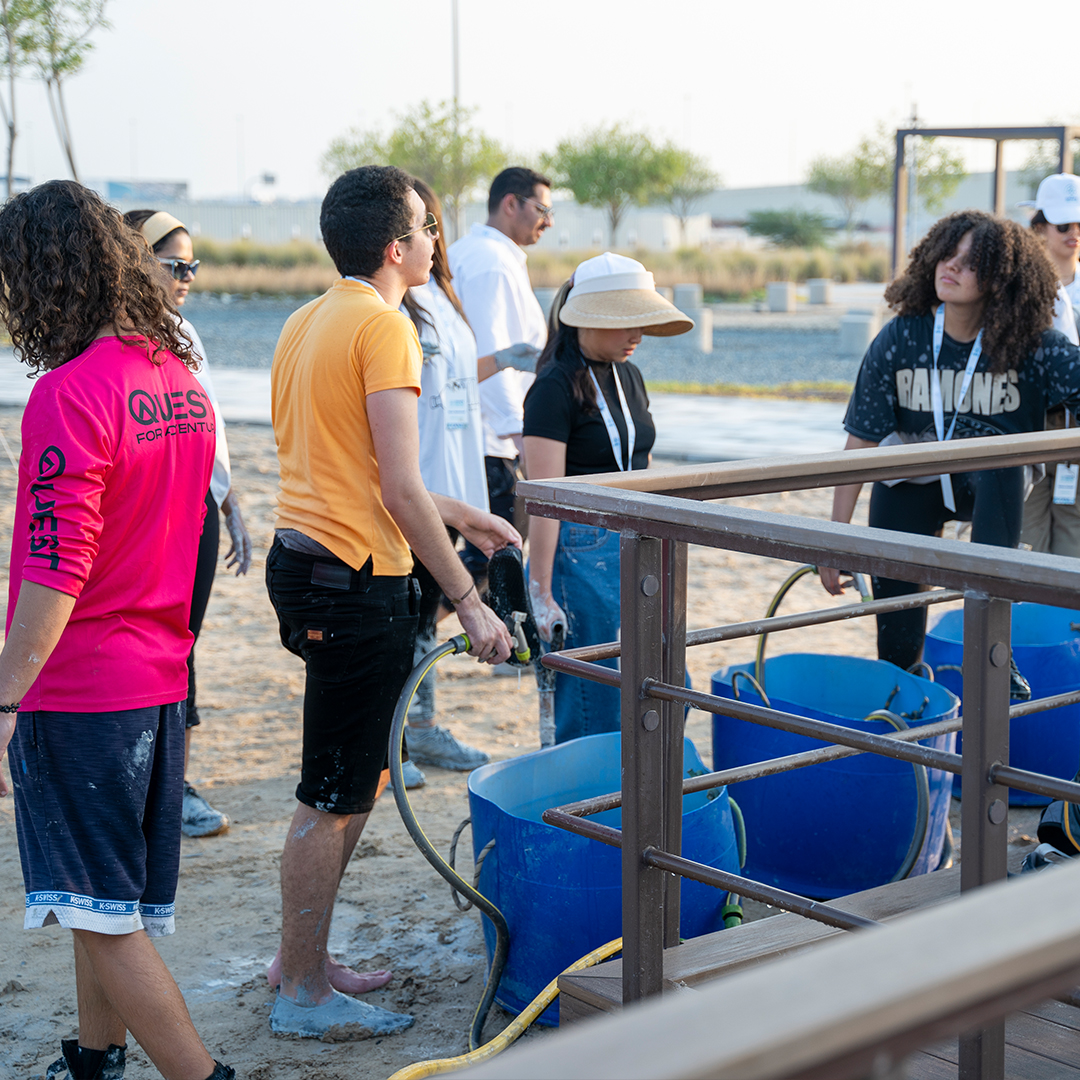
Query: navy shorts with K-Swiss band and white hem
x=98, y=814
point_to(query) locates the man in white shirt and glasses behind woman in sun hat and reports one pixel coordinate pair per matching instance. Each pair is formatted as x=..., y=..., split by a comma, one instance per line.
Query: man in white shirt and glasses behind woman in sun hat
x=493, y=285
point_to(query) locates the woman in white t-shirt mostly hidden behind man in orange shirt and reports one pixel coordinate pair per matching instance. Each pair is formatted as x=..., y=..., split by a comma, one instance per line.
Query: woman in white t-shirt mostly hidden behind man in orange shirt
x=452, y=464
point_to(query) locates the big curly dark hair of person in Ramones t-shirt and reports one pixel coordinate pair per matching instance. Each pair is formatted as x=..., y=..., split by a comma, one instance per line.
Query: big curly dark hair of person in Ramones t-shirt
x=1019, y=283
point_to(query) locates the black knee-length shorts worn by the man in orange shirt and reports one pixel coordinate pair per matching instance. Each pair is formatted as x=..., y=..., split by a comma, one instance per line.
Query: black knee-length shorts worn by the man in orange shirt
x=356, y=633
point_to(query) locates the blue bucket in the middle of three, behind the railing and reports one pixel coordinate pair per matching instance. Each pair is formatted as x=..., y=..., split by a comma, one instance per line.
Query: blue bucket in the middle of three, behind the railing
x=841, y=827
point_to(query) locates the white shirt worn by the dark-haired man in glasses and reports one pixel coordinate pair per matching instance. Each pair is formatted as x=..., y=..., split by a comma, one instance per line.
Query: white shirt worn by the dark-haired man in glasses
x=493, y=285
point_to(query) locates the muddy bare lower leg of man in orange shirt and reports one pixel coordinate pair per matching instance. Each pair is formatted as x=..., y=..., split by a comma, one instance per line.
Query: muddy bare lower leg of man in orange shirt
x=317, y=852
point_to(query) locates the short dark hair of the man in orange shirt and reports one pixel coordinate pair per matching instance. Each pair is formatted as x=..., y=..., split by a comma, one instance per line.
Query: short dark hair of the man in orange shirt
x=363, y=212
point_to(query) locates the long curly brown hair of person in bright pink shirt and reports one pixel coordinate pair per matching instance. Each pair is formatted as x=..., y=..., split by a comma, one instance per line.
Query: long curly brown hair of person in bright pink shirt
x=70, y=267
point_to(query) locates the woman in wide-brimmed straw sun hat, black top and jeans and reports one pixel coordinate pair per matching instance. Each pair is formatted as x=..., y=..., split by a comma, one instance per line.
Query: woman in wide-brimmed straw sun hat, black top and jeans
x=588, y=413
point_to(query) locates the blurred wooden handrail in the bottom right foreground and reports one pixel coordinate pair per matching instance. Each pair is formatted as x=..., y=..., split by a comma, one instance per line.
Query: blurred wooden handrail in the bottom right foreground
x=844, y=1008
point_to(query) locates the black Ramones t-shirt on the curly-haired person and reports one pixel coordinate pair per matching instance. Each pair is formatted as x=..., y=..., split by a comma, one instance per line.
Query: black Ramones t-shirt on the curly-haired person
x=893, y=391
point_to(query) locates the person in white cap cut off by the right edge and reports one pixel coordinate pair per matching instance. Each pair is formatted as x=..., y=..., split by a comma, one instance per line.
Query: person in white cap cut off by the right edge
x=1051, y=518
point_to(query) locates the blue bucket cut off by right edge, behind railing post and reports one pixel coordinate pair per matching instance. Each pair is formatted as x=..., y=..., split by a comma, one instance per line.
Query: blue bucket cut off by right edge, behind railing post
x=1047, y=652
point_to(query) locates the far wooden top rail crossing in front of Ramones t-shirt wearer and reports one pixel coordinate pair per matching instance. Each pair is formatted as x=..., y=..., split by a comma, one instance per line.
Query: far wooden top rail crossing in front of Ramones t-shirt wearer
x=802, y=471
